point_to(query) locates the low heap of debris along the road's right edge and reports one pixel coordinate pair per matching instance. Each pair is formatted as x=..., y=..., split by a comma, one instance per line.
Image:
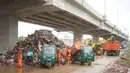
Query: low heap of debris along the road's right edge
x=120, y=66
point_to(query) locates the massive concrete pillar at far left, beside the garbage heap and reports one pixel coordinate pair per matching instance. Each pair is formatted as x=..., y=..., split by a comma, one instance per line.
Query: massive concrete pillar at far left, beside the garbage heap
x=8, y=33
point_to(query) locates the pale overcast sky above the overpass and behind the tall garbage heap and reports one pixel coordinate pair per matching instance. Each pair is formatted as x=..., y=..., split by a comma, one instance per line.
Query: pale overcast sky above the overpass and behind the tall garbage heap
x=114, y=9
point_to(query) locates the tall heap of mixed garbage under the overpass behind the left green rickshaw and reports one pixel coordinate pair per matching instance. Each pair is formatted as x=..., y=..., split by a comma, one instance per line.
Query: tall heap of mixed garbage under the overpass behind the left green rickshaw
x=33, y=43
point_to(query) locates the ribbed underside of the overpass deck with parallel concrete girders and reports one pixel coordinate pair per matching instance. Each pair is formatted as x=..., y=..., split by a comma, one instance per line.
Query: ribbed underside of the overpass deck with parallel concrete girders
x=60, y=20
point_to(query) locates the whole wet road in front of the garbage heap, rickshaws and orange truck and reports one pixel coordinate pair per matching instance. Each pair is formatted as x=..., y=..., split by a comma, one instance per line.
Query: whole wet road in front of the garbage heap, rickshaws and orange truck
x=97, y=67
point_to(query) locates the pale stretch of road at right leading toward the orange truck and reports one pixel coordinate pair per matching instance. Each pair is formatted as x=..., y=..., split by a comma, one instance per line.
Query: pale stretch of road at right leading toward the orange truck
x=98, y=66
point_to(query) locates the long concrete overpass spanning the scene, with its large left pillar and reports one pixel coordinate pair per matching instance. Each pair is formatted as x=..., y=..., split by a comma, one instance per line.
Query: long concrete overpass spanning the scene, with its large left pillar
x=72, y=15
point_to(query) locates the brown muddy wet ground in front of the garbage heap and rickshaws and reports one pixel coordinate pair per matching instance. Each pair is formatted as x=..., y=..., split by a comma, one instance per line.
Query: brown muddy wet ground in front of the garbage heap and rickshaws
x=57, y=69
